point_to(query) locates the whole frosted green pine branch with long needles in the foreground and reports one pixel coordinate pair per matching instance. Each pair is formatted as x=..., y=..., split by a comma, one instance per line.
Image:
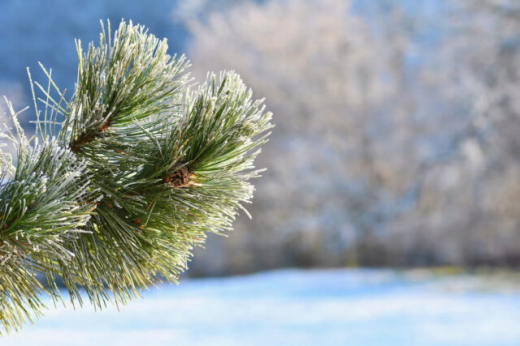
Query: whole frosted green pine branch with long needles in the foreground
x=123, y=178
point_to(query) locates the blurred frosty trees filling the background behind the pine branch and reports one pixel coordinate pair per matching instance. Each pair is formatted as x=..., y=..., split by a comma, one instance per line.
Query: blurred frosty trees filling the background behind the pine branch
x=398, y=124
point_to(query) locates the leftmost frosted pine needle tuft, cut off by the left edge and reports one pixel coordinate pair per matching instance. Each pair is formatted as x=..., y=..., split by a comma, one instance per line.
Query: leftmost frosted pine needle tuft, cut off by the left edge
x=40, y=215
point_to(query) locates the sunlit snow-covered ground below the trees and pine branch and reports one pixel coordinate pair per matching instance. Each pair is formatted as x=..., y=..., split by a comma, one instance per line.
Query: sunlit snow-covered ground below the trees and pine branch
x=295, y=307
